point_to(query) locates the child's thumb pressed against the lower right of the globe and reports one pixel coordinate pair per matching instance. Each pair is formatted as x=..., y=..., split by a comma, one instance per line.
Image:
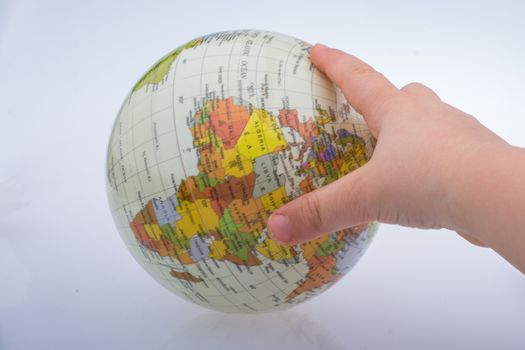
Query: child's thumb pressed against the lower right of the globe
x=339, y=205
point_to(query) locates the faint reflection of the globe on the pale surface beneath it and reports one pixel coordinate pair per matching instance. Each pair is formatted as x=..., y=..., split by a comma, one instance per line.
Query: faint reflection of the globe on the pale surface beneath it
x=282, y=330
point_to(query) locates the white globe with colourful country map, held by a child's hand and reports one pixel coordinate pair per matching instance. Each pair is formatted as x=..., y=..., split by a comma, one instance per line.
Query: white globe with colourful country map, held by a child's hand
x=213, y=138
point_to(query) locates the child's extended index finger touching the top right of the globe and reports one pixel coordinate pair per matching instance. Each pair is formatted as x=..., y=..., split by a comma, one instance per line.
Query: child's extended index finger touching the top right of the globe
x=365, y=89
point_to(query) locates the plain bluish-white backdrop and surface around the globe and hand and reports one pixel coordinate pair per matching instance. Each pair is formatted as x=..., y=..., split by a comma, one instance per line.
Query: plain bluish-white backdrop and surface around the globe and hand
x=68, y=282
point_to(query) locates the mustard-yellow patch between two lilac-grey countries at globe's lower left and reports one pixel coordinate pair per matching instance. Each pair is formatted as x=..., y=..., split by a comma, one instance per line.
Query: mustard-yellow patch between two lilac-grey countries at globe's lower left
x=198, y=217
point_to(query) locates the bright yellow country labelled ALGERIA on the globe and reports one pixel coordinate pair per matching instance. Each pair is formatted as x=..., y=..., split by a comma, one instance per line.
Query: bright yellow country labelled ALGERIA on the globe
x=261, y=135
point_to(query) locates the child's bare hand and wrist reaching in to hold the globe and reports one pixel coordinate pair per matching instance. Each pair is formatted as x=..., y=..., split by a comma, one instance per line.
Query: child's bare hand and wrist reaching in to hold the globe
x=434, y=166
